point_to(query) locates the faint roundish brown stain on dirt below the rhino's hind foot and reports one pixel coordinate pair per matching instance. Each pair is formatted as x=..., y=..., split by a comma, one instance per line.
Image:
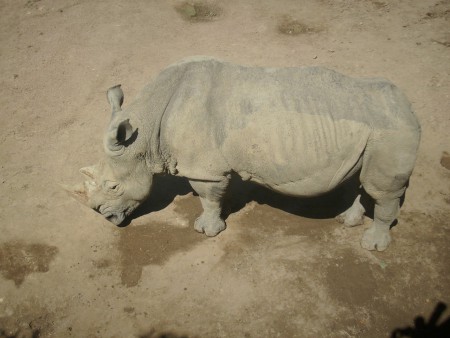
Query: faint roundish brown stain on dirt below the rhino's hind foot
x=350, y=281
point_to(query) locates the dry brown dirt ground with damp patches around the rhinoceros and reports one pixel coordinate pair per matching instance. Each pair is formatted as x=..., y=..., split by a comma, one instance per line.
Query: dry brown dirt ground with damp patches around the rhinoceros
x=284, y=267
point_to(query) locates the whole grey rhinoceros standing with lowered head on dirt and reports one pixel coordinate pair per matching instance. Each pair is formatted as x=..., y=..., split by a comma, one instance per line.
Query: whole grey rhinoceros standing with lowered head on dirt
x=298, y=131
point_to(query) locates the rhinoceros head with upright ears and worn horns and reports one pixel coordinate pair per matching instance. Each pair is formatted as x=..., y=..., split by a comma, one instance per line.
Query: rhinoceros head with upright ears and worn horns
x=119, y=183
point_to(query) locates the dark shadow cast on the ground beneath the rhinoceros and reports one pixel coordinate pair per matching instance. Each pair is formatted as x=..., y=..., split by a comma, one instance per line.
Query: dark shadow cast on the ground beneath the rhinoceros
x=166, y=188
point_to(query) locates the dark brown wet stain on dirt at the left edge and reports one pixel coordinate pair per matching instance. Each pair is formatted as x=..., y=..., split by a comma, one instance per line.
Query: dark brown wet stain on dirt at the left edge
x=18, y=259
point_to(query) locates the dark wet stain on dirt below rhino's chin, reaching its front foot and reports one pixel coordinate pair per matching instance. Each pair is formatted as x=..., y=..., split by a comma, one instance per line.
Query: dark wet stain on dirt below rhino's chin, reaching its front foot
x=155, y=243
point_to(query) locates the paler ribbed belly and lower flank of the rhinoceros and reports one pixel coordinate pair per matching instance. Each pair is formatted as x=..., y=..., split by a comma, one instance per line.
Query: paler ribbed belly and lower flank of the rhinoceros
x=294, y=153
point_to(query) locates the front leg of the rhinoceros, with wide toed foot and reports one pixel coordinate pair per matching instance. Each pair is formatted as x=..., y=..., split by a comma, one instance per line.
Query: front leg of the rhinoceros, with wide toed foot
x=211, y=196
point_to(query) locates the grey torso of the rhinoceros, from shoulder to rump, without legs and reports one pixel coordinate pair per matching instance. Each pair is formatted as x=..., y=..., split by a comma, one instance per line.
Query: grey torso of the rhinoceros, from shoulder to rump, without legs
x=296, y=130
